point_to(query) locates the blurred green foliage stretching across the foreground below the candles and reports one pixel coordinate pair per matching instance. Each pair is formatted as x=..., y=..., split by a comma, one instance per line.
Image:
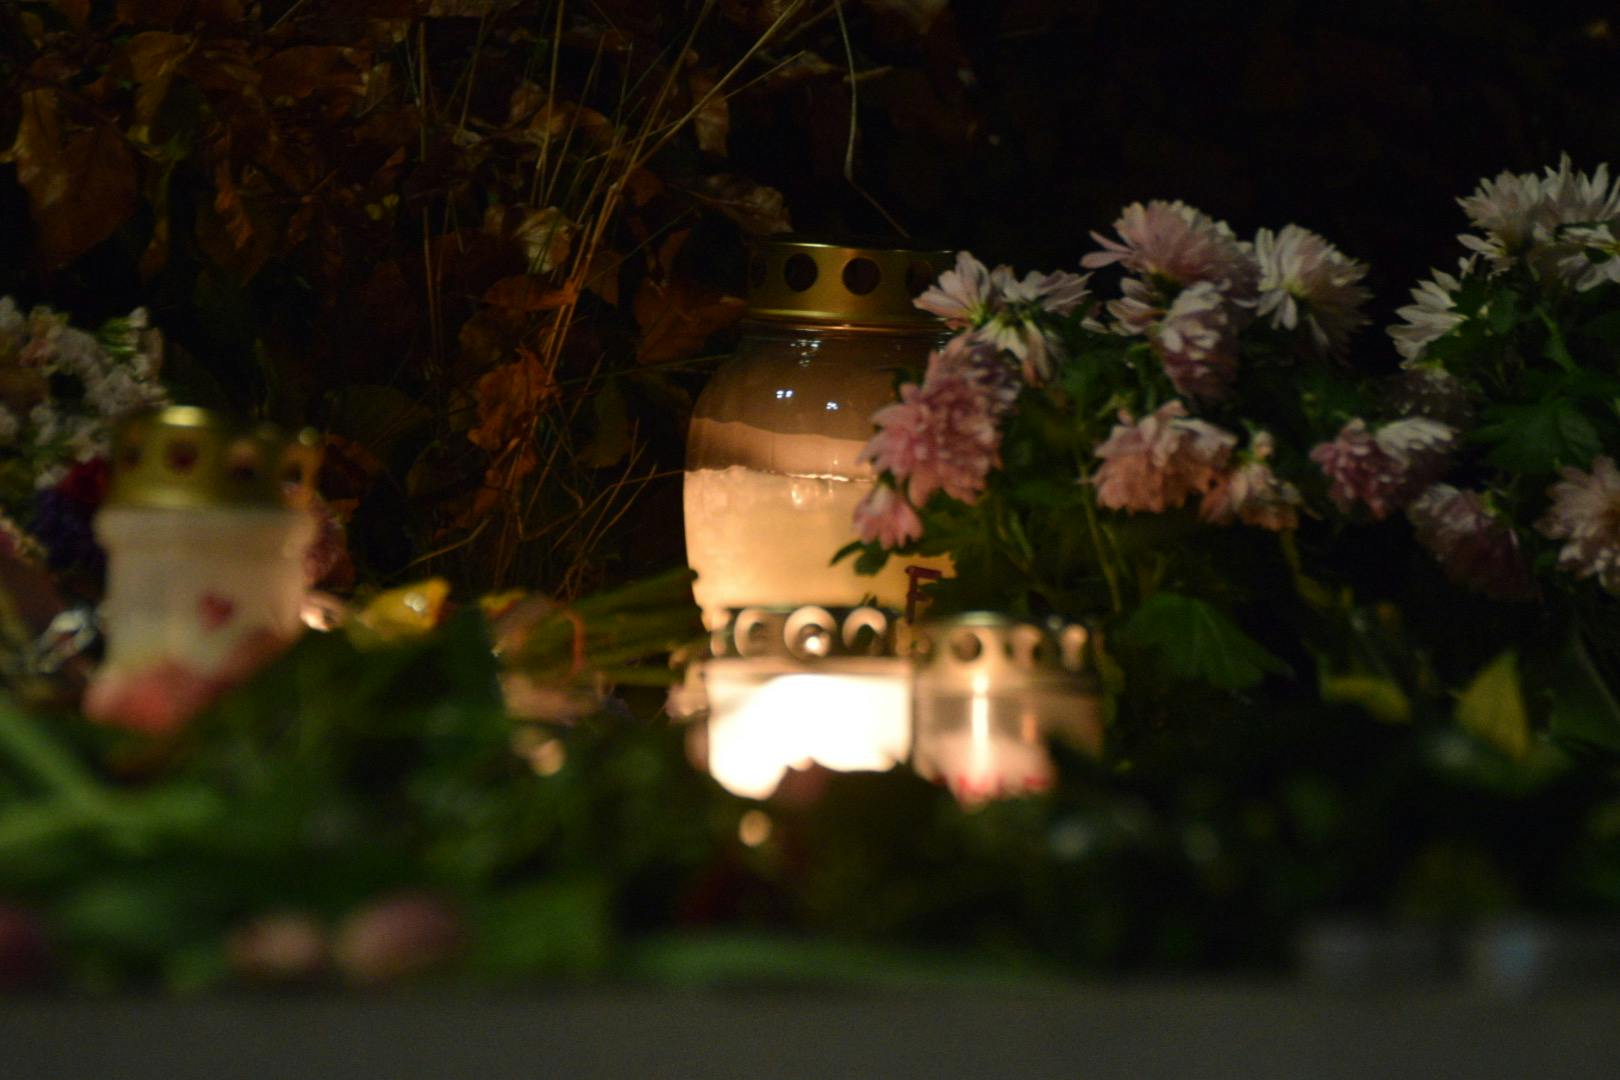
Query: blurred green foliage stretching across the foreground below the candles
x=360, y=775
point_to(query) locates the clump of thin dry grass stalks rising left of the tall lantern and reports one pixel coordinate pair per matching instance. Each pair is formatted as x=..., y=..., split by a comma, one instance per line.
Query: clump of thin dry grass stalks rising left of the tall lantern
x=582, y=179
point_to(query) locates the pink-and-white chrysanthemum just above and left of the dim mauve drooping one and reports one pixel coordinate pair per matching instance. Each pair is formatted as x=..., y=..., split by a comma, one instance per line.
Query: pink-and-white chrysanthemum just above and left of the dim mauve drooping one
x=1386, y=469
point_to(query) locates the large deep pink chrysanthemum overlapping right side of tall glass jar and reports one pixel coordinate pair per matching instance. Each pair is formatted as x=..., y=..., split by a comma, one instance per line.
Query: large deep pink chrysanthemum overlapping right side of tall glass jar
x=944, y=435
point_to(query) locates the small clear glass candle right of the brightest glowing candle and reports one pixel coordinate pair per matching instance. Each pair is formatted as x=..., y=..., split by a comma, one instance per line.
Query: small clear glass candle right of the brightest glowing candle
x=991, y=694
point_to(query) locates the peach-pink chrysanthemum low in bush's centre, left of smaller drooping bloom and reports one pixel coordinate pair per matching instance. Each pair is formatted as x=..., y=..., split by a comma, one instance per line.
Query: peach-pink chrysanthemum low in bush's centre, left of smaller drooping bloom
x=1159, y=462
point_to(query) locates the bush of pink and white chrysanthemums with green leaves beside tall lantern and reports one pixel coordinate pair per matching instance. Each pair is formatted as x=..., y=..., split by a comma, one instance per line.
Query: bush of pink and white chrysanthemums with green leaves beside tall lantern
x=1253, y=500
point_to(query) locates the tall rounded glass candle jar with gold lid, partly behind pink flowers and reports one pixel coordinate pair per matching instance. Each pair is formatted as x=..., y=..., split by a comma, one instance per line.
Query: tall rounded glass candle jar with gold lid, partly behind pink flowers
x=774, y=456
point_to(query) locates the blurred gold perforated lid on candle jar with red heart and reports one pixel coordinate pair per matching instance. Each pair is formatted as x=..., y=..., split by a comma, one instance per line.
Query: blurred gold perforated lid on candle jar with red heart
x=187, y=457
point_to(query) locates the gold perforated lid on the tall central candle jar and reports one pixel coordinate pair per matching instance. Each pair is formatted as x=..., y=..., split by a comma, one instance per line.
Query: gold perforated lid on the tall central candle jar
x=812, y=283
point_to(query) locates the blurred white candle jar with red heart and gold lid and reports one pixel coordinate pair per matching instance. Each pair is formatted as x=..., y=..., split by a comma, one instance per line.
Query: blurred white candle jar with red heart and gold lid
x=207, y=532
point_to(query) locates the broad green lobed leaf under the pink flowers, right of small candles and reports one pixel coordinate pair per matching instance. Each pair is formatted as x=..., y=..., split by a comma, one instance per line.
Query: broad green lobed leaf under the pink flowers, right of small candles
x=1196, y=640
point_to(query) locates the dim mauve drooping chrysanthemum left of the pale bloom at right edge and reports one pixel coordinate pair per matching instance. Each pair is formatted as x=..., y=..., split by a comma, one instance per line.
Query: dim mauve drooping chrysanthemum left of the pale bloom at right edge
x=1475, y=548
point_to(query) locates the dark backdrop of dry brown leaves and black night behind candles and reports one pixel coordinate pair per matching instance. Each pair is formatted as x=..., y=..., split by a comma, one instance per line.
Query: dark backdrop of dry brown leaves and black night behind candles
x=1010, y=129
